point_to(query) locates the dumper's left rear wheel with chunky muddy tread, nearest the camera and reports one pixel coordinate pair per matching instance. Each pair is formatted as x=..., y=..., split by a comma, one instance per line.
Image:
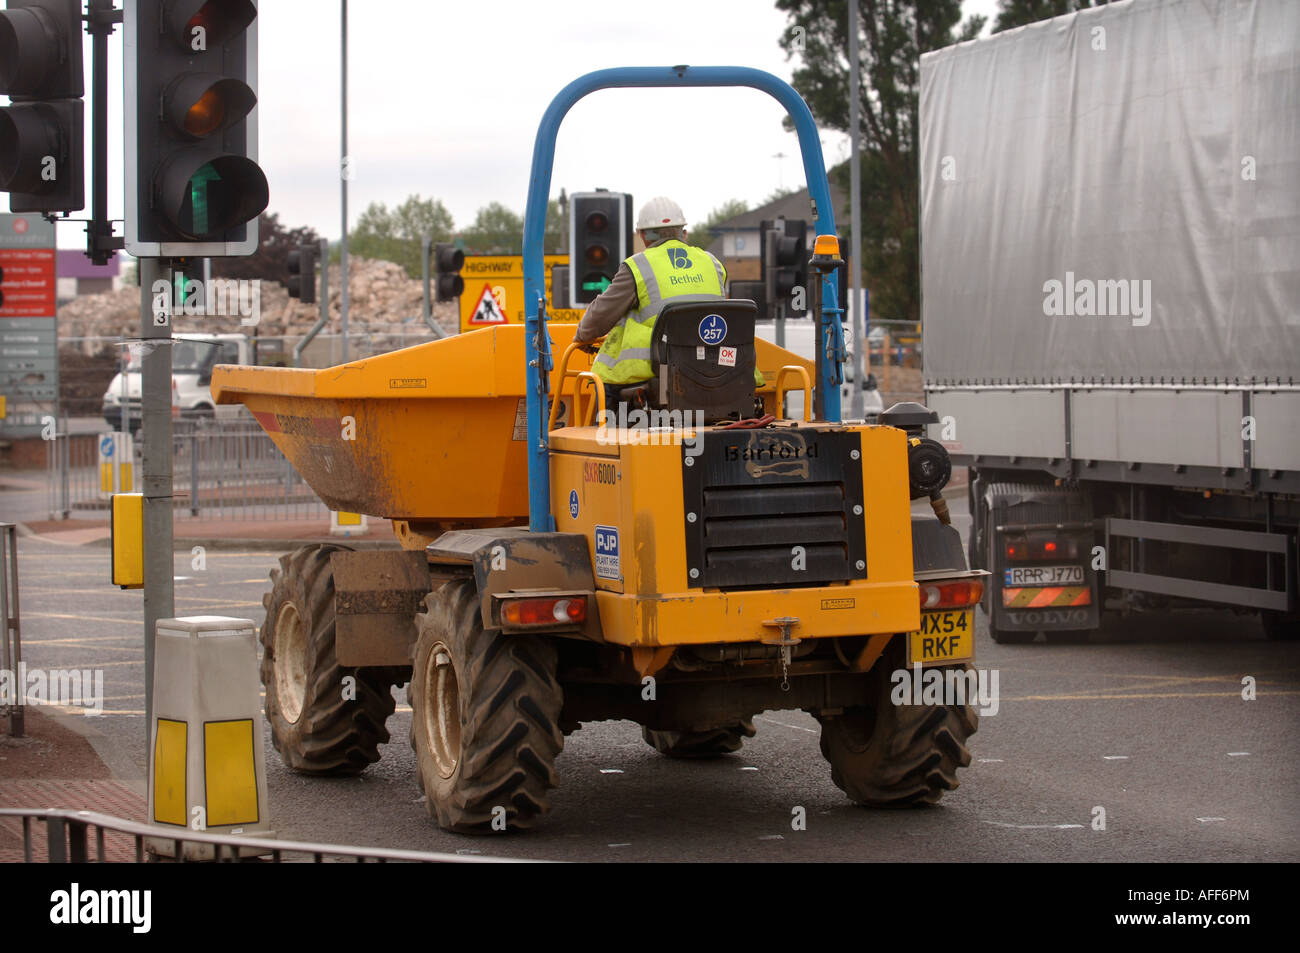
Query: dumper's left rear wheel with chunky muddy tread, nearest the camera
x=486, y=712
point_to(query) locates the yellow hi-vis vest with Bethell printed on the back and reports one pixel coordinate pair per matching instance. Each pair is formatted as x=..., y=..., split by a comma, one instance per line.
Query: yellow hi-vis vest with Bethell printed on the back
x=669, y=272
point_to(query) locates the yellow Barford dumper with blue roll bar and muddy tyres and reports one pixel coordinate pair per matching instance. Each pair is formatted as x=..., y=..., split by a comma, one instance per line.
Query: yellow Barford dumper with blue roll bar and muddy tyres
x=684, y=566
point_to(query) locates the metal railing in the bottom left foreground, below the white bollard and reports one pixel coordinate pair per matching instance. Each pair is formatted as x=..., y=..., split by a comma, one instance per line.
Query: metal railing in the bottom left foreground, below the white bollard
x=80, y=838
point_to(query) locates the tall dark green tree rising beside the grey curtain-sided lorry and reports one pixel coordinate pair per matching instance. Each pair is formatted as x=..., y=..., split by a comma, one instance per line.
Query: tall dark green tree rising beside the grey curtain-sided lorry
x=892, y=36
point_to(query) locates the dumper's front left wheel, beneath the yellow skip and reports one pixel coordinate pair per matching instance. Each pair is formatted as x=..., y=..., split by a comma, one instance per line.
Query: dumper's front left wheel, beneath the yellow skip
x=317, y=725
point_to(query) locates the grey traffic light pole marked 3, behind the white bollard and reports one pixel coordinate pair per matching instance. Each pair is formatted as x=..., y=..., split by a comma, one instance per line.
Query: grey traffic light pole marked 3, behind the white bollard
x=157, y=428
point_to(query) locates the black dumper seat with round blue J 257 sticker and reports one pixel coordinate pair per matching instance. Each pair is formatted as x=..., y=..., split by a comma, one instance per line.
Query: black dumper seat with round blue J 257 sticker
x=703, y=358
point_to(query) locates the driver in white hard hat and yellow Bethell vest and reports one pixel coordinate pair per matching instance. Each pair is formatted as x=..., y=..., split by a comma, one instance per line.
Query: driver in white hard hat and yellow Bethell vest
x=625, y=314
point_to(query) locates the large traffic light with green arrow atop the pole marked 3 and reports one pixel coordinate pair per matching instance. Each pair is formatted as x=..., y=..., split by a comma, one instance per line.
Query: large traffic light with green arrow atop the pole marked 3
x=193, y=181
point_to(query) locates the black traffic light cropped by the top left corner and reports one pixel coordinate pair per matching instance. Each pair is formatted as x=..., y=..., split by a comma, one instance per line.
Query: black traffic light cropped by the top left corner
x=42, y=133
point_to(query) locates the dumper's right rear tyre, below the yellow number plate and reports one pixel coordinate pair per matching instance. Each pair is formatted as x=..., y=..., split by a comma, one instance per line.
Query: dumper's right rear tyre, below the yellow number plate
x=896, y=756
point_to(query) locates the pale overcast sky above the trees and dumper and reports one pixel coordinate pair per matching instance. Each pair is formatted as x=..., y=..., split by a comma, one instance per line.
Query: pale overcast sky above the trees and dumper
x=445, y=99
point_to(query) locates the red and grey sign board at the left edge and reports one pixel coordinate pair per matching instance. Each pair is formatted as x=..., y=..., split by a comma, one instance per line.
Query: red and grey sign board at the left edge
x=29, y=349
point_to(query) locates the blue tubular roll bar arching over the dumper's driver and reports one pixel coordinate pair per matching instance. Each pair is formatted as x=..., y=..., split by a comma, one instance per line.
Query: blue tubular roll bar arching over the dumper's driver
x=536, y=344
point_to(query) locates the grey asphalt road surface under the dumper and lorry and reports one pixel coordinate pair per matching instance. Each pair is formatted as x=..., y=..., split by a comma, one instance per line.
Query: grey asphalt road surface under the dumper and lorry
x=1147, y=722
